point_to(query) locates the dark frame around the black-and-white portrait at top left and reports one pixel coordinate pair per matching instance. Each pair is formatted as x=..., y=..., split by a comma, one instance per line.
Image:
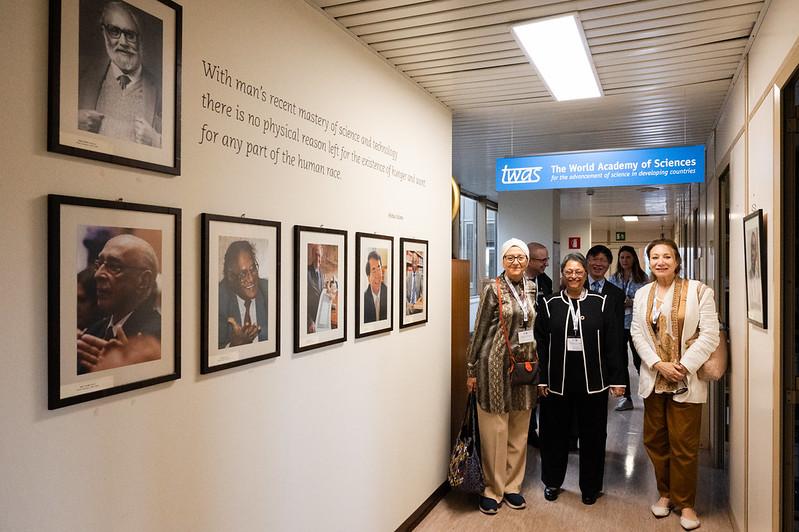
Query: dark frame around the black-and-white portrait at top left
x=54, y=100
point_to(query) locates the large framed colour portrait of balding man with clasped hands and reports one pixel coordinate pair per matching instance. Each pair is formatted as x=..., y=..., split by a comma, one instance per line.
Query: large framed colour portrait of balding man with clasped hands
x=113, y=298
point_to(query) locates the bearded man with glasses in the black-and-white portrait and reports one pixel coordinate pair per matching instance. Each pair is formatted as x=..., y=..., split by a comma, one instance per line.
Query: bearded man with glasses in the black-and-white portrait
x=118, y=97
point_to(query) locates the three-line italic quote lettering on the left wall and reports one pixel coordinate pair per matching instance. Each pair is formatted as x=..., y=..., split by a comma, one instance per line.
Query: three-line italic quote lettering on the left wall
x=285, y=132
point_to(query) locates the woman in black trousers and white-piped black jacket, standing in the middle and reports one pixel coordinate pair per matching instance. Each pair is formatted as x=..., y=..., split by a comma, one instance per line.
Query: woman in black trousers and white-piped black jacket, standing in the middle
x=581, y=357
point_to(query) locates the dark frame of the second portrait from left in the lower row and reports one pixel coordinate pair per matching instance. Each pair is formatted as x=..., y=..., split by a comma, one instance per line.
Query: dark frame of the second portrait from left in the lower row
x=205, y=291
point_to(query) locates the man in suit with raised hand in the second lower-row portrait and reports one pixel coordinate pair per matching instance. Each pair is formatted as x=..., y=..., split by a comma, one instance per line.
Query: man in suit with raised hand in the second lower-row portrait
x=243, y=310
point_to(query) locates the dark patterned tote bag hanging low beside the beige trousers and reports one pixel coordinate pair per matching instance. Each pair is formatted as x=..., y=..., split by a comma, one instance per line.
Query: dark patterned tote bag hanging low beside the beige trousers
x=465, y=466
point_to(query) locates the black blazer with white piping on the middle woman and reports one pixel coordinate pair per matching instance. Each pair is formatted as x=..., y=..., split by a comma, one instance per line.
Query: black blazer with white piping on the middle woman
x=602, y=350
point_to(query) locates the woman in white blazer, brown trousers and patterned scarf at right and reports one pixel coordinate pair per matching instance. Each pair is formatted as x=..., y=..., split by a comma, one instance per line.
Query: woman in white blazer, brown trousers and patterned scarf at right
x=675, y=328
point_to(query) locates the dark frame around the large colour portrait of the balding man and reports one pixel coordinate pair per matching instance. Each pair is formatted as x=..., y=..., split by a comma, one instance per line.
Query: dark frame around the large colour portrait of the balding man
x=54, y=280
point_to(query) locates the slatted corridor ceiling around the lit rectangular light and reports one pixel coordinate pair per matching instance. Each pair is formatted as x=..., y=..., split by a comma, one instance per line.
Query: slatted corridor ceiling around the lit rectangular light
x=665, y=66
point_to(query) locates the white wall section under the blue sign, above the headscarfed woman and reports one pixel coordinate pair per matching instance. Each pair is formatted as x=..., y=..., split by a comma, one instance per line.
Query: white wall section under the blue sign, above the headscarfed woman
x=533, y=216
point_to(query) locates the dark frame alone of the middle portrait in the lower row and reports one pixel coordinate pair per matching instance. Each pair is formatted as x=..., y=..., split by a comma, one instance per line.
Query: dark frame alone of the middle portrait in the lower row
x=299, y=277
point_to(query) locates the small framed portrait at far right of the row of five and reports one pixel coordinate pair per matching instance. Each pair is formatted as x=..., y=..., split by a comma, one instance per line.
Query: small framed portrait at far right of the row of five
x=413, y=281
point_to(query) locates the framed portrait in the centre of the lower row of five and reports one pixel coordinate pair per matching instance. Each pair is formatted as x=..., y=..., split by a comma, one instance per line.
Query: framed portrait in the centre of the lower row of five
x=320, y=287
